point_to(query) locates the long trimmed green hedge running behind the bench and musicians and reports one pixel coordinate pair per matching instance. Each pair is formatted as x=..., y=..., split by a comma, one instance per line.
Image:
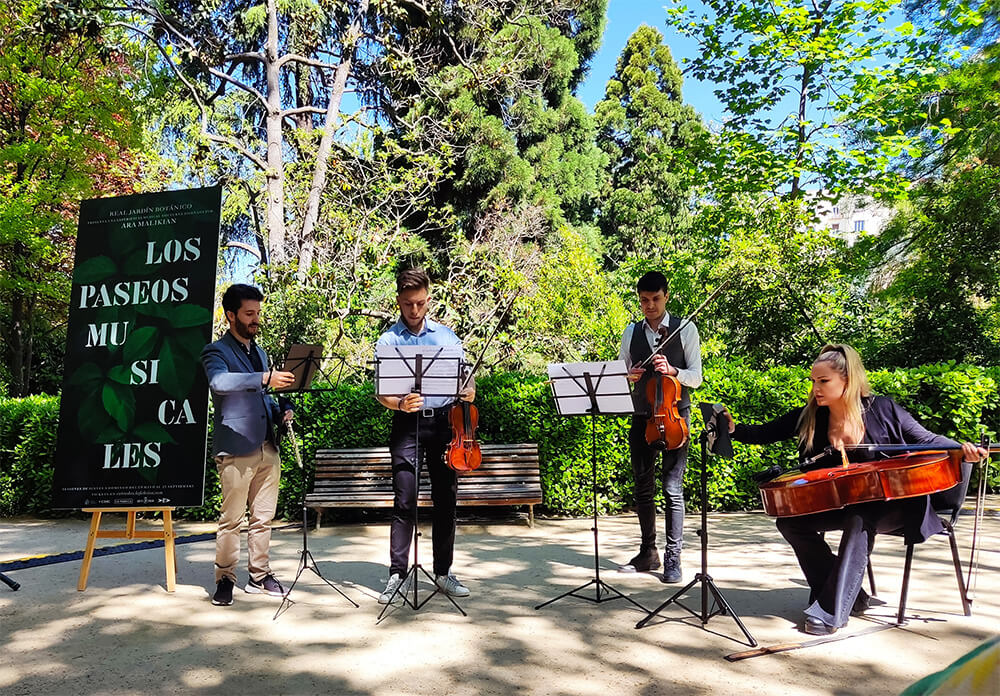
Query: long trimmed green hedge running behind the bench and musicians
x=950, y=399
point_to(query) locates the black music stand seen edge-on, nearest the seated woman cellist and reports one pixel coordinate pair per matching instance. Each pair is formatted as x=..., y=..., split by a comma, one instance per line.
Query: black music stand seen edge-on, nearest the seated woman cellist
x=715, y=438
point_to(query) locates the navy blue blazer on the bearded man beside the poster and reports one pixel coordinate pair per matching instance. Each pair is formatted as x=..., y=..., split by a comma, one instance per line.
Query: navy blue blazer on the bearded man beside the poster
x=245, y=413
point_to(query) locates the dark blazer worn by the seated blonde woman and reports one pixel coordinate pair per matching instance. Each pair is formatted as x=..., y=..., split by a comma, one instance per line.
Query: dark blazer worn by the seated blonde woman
x=886, y=423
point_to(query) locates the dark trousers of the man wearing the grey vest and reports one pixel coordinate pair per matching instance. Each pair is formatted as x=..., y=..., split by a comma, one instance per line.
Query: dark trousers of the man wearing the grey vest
x=644, y=472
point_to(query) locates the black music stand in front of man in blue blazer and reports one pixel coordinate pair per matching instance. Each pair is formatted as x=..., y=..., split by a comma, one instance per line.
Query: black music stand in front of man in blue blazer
x=305, y=362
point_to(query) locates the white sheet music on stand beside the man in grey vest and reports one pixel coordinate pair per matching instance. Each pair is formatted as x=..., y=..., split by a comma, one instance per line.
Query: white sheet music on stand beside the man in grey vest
x=608, y=388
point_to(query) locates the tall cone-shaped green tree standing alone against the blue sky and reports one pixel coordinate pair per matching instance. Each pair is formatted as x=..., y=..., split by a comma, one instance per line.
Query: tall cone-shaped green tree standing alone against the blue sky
x=653, y=141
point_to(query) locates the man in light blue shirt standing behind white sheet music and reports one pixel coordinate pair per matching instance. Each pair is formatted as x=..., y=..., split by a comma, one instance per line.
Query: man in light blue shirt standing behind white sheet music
x=414, y=328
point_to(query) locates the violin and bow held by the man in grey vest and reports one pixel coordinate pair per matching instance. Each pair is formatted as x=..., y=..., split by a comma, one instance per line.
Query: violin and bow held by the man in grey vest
x=666, y=429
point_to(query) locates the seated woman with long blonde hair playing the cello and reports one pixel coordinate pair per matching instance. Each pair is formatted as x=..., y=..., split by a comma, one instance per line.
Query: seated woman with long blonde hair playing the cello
x=842, y=411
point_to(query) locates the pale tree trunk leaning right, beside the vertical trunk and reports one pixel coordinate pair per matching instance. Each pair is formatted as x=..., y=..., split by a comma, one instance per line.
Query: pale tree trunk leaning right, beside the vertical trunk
x=326, y=143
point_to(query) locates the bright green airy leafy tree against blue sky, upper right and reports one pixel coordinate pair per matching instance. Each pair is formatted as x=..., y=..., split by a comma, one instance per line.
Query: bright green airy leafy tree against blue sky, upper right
x=797, y=80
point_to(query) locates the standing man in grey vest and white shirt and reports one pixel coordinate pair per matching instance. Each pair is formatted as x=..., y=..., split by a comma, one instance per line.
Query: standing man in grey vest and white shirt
x=681, y=359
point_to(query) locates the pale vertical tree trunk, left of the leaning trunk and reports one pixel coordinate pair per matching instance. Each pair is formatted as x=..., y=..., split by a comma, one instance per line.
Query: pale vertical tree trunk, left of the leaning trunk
x=275, y=162
